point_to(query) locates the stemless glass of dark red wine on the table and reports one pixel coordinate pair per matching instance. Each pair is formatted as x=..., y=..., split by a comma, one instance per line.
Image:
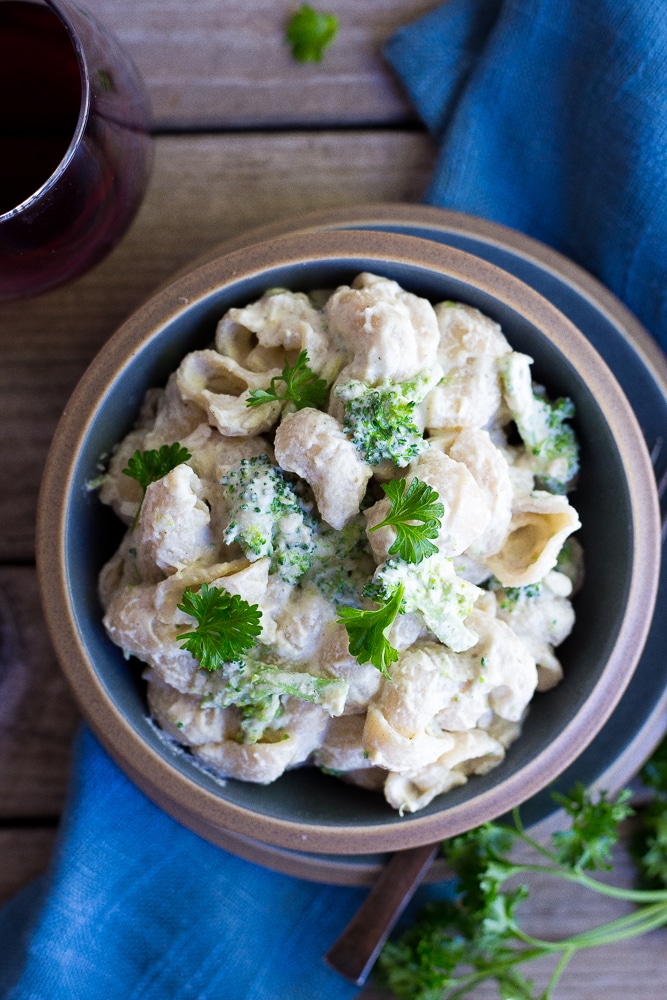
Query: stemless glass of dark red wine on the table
x=75, y=146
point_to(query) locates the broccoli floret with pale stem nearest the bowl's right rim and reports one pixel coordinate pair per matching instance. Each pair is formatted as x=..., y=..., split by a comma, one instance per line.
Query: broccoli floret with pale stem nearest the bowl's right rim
x=550, y=441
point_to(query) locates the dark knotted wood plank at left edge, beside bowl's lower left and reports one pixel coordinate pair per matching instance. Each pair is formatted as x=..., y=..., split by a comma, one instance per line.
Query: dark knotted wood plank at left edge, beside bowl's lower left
x=38, y=717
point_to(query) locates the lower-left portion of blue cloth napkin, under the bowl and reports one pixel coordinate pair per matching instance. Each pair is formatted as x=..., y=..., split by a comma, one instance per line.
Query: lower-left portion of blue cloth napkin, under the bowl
x=136, y=906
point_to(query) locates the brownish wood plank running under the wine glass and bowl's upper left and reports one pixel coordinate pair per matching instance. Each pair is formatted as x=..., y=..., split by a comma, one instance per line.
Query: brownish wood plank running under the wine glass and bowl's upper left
x=204, y=189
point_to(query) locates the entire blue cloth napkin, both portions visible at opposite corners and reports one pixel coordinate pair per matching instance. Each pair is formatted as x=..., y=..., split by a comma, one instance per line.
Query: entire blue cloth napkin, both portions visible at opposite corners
x=550, y=118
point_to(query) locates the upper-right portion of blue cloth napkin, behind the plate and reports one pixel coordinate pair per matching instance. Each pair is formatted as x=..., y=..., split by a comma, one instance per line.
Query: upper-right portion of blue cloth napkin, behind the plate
x=551, y=118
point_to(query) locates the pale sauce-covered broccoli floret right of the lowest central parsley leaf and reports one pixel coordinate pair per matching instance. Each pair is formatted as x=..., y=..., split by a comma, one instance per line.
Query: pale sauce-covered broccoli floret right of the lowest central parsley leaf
x=434, y=592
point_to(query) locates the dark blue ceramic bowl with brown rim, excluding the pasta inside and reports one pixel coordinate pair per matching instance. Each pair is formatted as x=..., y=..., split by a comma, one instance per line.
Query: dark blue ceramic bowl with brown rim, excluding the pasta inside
x=305, y=810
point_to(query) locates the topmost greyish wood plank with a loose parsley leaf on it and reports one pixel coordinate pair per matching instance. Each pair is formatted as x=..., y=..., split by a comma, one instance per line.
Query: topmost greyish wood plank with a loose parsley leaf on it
x=228, y=65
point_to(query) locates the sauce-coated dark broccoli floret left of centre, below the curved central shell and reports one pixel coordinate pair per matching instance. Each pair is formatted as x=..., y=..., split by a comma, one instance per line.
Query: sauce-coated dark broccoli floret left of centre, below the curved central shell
x=268, y=518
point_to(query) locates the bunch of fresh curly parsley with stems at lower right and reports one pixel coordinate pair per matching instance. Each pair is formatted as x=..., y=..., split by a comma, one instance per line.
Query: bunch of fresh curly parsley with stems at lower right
x=457, y=944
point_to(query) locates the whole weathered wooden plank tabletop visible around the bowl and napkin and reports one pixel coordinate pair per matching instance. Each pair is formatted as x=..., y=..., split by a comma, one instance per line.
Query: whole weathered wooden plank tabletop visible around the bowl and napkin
x=244, y=136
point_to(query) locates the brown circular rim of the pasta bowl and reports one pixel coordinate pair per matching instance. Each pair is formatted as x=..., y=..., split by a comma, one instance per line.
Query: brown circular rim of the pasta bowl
x=167, y=785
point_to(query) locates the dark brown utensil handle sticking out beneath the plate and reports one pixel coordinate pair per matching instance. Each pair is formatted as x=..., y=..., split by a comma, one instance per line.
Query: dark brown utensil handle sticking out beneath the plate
x=354, y=953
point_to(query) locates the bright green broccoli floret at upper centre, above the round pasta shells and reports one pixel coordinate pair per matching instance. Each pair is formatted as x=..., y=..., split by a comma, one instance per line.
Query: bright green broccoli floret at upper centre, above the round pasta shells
x=379, y=420
